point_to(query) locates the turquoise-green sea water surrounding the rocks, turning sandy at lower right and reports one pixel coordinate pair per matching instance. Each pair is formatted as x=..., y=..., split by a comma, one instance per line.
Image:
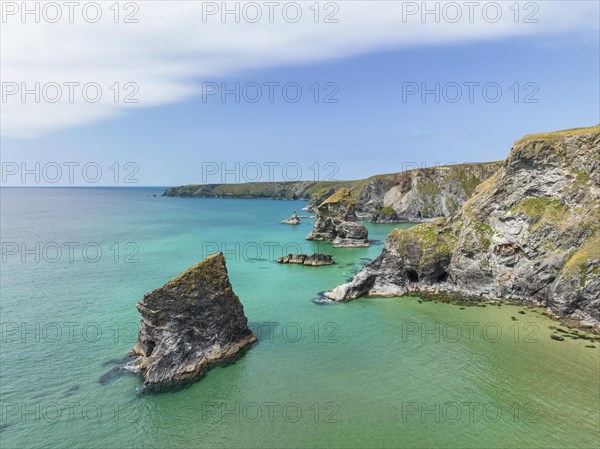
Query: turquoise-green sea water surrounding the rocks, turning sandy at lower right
x=369, y=373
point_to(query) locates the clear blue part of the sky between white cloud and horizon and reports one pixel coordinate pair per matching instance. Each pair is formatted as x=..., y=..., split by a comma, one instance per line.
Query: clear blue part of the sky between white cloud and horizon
x=370, y=130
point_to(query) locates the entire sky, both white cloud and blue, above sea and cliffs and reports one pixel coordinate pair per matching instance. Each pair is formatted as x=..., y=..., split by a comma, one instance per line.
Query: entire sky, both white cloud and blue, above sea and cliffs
x=359, y=89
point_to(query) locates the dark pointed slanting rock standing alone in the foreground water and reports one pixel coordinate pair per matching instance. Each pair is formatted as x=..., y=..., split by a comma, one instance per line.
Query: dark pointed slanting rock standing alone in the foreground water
x=192, y=322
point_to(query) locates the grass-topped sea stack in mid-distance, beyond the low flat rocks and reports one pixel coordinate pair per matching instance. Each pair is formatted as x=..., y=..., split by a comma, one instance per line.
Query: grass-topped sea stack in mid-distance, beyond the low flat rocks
x=337, y=222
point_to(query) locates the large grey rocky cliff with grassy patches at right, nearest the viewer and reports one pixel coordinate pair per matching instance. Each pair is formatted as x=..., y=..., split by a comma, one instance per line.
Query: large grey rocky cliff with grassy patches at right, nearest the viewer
x=530, y=233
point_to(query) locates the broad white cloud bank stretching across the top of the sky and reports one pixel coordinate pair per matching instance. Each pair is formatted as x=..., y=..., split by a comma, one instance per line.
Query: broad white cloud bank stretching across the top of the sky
x=171, y=47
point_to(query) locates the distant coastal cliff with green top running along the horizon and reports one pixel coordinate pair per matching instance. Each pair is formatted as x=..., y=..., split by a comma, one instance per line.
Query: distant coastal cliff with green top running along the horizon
x=408, y=196
